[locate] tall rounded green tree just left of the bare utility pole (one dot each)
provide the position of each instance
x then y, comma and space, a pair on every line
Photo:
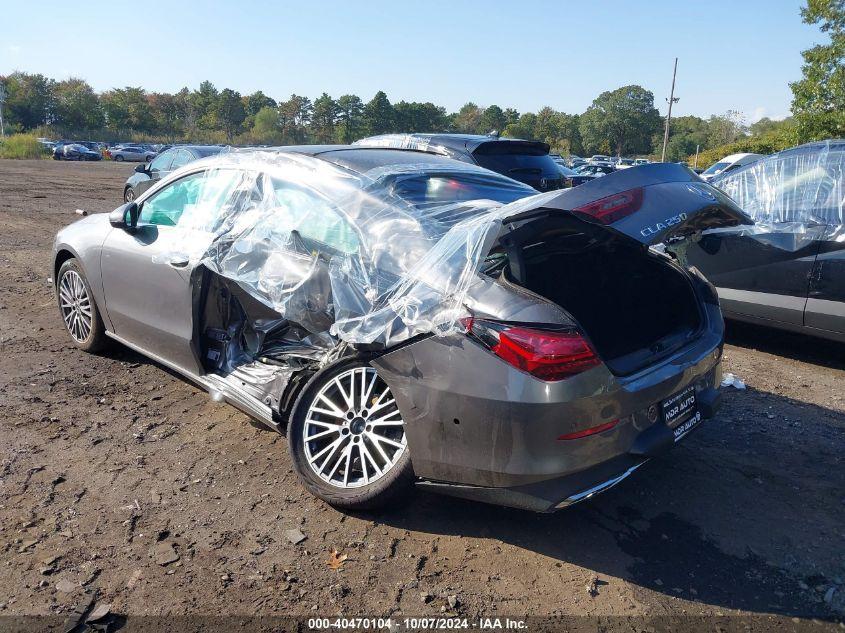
621, 121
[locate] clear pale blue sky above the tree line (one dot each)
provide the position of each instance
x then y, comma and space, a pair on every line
733, 55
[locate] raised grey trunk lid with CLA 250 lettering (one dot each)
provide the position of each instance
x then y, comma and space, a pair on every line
649, 204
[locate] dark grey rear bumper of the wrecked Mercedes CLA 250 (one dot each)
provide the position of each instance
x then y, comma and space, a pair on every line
478, 428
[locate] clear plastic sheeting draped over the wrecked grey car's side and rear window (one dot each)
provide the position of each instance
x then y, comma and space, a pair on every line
373, 258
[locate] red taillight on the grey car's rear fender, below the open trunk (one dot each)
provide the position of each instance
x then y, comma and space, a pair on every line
545, 354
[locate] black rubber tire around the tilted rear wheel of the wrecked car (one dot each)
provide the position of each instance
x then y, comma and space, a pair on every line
392, 488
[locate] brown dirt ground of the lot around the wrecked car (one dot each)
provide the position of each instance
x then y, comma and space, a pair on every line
135, 482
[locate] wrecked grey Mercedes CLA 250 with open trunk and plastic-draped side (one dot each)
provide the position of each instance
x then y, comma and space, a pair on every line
410, 320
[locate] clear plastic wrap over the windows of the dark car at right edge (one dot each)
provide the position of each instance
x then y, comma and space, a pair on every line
792, 190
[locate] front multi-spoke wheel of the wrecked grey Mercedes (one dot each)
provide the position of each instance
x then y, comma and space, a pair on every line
79, 312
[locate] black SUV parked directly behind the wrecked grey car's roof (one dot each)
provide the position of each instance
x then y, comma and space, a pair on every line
526, 161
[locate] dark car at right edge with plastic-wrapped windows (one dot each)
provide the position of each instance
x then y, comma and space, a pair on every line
788, 271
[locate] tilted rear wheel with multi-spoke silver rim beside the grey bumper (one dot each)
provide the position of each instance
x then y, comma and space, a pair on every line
347, 438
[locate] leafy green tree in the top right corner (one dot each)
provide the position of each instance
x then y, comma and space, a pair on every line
818, 98
